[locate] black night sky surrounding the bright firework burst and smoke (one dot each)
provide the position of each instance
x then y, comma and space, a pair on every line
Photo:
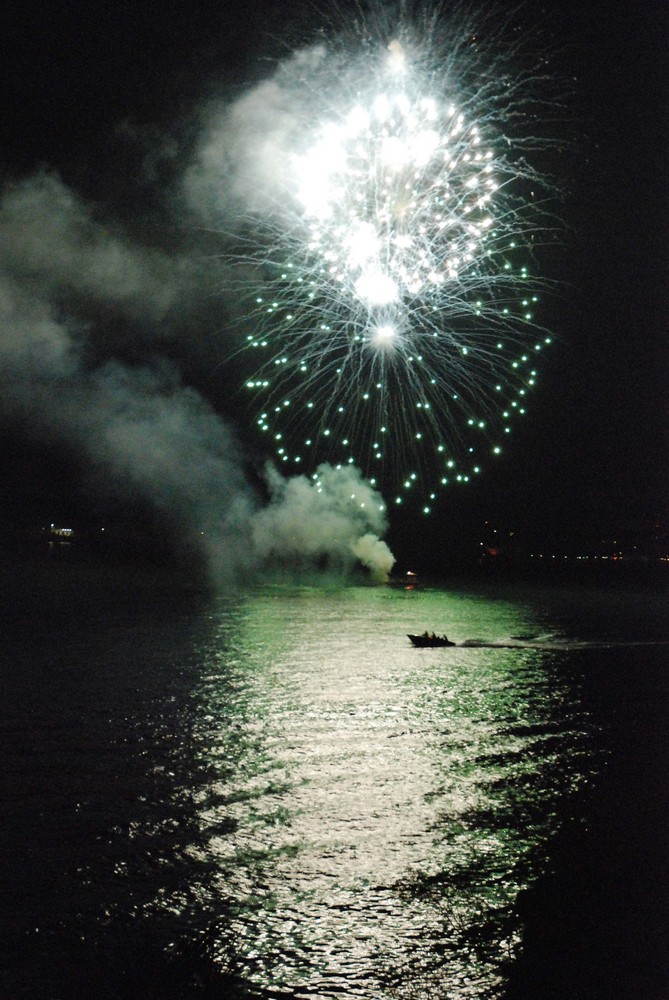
106, 99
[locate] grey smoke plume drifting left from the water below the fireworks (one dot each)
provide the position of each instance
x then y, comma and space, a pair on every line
69, 279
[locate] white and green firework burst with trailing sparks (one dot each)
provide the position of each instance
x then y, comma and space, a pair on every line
387, 250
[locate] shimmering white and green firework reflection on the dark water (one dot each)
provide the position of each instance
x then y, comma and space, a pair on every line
374, 809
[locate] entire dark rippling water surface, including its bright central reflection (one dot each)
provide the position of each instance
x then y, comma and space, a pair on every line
275, 795
